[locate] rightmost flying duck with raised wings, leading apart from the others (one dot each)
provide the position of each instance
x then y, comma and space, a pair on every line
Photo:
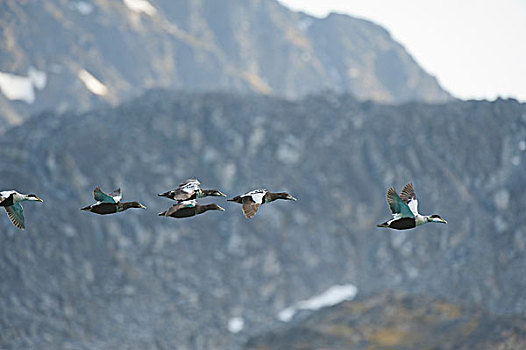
405, 210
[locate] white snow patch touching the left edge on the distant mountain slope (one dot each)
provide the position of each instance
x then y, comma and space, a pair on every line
17, 87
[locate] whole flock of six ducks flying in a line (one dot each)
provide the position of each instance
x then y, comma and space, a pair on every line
404, 207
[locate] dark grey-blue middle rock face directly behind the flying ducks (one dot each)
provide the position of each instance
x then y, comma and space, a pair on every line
135, 280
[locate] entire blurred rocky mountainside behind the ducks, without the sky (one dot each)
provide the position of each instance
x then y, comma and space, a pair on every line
143, 95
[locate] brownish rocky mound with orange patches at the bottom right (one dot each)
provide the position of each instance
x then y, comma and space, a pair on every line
399, 322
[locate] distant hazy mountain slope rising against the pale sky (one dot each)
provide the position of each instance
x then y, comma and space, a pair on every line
93, 52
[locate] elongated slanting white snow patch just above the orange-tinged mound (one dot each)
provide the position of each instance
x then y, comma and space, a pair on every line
332, 296
